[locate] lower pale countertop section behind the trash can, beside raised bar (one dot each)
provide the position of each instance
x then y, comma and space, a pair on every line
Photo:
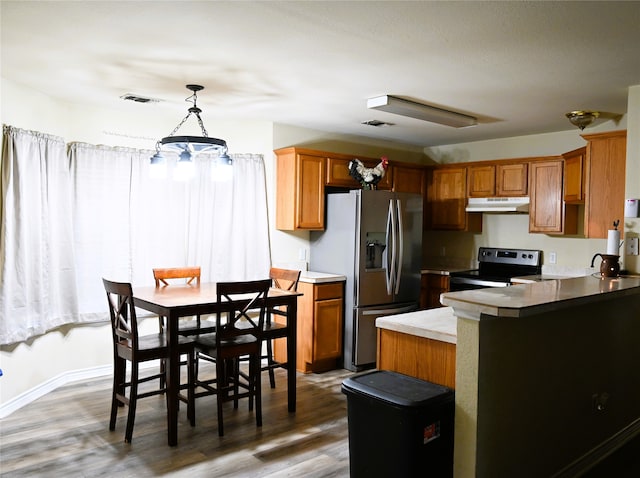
437, 324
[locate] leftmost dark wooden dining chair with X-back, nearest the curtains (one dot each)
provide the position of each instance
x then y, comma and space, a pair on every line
129, 346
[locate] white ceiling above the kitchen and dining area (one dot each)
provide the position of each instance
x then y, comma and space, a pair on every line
518, 66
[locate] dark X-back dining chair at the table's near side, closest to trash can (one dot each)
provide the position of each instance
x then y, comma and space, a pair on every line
238, 333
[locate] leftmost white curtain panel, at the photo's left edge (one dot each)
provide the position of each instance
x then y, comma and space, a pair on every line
37, 274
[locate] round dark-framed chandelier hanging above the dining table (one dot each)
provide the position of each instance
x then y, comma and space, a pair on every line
189, 146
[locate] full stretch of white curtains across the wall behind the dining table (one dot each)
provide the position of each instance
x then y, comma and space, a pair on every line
116, 220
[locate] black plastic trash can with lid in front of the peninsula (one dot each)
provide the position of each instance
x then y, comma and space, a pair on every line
399, 426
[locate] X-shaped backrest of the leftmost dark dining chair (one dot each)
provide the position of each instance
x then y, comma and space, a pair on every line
124, 323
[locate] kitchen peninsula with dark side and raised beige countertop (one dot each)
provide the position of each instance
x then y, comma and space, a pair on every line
547, 376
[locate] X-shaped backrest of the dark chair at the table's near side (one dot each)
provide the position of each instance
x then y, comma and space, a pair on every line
247, 314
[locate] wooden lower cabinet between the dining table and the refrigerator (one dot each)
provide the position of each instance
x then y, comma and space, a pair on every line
320, 324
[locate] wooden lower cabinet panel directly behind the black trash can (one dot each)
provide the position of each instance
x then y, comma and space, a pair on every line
426, 359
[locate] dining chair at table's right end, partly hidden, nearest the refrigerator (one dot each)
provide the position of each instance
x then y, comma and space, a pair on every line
285, 279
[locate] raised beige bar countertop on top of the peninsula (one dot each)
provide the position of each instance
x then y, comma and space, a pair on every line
537, 297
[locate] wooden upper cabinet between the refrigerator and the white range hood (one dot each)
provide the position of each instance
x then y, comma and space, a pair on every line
447, 189
